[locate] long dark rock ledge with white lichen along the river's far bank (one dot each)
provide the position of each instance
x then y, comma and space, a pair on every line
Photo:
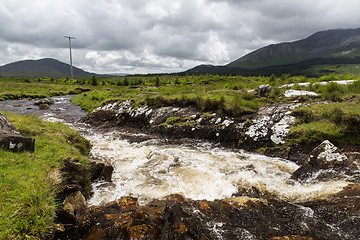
268, 126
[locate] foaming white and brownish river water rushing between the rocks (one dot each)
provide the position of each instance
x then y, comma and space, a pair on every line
155, 168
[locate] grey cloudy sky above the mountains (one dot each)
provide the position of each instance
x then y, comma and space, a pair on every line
144, 36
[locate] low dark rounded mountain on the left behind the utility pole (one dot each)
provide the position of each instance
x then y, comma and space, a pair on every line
46, 67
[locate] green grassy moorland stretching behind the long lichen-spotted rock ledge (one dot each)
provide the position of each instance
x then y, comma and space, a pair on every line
223, 94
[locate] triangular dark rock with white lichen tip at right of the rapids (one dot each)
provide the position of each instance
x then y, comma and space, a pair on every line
326, 162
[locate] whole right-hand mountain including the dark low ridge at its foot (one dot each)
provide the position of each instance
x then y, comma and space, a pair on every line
337, 46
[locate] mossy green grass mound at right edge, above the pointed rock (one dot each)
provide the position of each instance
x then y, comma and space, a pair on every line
337, 122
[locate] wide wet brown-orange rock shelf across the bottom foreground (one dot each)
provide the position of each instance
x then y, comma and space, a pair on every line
236, 218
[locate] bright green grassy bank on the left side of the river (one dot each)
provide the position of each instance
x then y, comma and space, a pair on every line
30, 182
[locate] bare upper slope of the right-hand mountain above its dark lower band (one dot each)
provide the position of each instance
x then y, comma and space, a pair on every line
325, 44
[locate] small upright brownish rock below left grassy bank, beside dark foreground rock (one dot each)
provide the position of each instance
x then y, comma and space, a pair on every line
74, 208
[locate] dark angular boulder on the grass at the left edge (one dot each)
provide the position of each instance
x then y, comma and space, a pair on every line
11, 139
